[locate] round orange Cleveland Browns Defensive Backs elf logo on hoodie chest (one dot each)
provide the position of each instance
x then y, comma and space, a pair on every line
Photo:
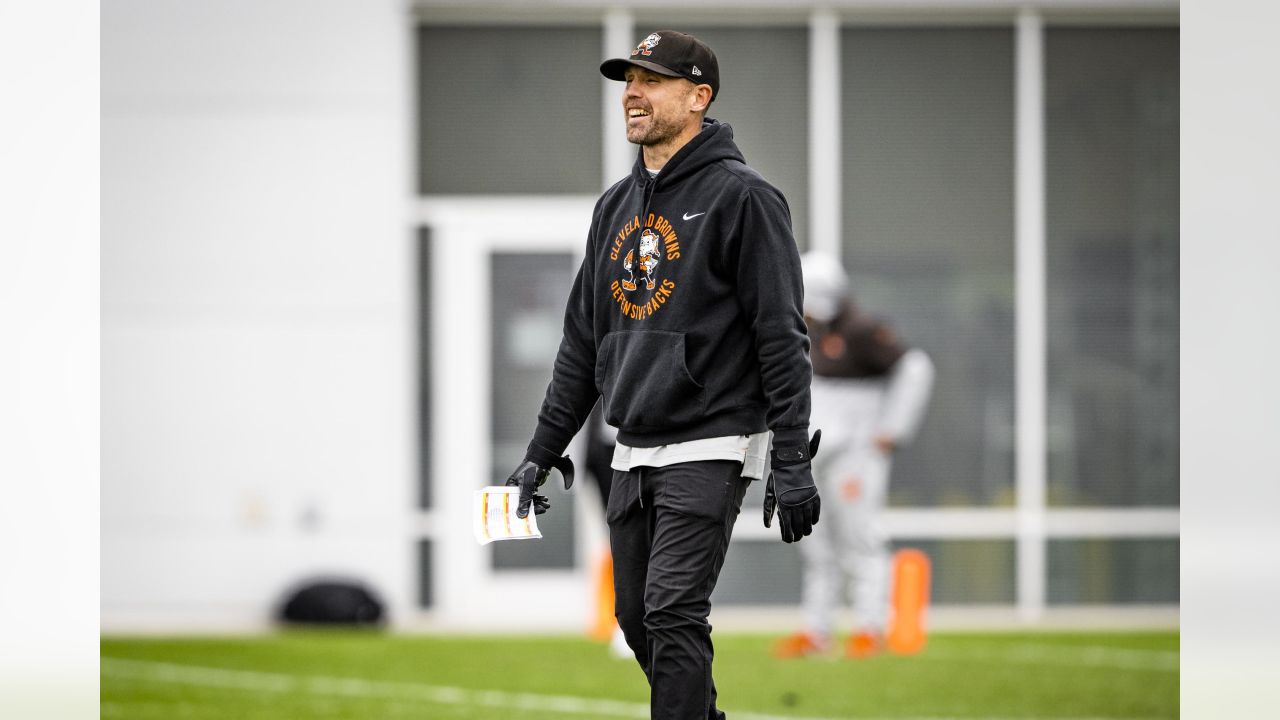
639, 288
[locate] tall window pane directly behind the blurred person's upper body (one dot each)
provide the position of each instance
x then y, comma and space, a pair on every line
929, 221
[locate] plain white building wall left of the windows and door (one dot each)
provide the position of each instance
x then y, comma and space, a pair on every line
258, 373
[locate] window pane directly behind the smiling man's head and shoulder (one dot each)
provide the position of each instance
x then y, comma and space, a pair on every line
765, 97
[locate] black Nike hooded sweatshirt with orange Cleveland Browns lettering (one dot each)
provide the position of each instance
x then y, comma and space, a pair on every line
687, 315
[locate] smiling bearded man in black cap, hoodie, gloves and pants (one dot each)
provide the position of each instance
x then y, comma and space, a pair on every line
687, 322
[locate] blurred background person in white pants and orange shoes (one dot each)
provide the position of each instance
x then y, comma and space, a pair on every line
870, 393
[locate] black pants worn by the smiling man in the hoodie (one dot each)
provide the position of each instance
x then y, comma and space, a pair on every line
670, 528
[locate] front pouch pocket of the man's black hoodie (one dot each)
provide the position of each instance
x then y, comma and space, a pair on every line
647, 384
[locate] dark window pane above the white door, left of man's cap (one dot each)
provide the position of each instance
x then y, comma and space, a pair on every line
509, 110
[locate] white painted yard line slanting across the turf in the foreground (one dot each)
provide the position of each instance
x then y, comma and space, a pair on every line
255, 681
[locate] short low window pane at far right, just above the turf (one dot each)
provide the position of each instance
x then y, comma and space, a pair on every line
1113, 572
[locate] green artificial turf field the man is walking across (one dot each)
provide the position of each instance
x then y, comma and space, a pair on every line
368, 676
